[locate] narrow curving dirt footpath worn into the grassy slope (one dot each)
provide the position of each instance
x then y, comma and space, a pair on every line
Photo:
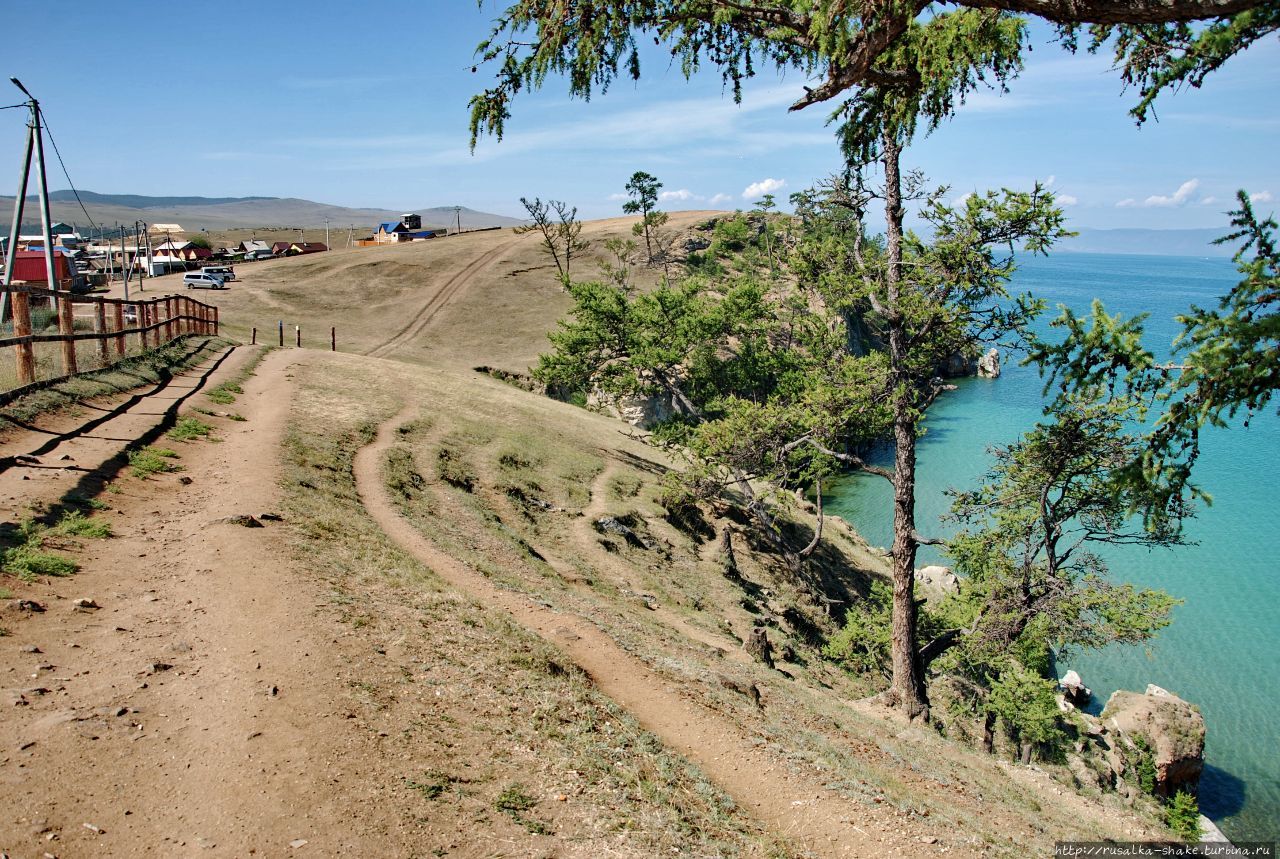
794, 805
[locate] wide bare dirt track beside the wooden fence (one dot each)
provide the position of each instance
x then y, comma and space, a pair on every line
198, 711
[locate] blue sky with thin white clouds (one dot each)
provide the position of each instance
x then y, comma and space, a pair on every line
367, 106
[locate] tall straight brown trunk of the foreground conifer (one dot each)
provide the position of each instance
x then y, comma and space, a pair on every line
908, 686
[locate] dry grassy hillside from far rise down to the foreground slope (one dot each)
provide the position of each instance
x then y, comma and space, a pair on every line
519, 488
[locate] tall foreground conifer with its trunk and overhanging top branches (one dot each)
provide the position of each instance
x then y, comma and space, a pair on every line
907, 72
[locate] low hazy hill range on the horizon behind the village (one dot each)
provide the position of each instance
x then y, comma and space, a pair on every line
230, 213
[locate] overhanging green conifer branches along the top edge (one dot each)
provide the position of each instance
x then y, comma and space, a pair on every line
1158, 44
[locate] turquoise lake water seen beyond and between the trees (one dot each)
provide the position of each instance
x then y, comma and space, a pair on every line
1220, 651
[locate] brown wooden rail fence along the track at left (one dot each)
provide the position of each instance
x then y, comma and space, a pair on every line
120, 328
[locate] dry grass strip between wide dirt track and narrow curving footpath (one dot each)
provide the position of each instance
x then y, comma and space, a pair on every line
484, 712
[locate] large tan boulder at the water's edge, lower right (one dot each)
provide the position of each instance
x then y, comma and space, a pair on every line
1173, 729
